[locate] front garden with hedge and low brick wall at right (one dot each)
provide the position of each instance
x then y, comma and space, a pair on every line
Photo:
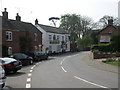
109, 50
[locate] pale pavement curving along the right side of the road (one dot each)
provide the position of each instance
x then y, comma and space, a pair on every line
97, 63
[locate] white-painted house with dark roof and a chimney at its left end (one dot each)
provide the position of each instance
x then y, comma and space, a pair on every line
54, 40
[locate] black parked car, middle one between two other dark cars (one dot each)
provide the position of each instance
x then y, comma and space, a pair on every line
25, 59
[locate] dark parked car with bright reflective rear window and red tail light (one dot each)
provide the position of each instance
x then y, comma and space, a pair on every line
11, 65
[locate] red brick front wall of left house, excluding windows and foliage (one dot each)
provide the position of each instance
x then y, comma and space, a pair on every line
15, 43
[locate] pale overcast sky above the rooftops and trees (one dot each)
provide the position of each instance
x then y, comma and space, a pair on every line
29, 10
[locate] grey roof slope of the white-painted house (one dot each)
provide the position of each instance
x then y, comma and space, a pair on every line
53, 29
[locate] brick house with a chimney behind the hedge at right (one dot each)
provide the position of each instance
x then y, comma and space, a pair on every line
104, 36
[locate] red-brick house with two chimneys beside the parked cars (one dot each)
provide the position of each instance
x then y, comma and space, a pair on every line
19, 36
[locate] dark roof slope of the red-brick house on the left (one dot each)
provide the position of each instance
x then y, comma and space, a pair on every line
18, 25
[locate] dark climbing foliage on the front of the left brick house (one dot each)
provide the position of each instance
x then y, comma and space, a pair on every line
25, 44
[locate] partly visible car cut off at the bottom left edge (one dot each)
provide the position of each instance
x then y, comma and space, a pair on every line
2, 76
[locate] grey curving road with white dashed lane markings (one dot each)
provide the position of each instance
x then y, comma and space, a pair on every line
63, 71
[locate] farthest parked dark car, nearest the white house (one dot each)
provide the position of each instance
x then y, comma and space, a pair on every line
39, 55
